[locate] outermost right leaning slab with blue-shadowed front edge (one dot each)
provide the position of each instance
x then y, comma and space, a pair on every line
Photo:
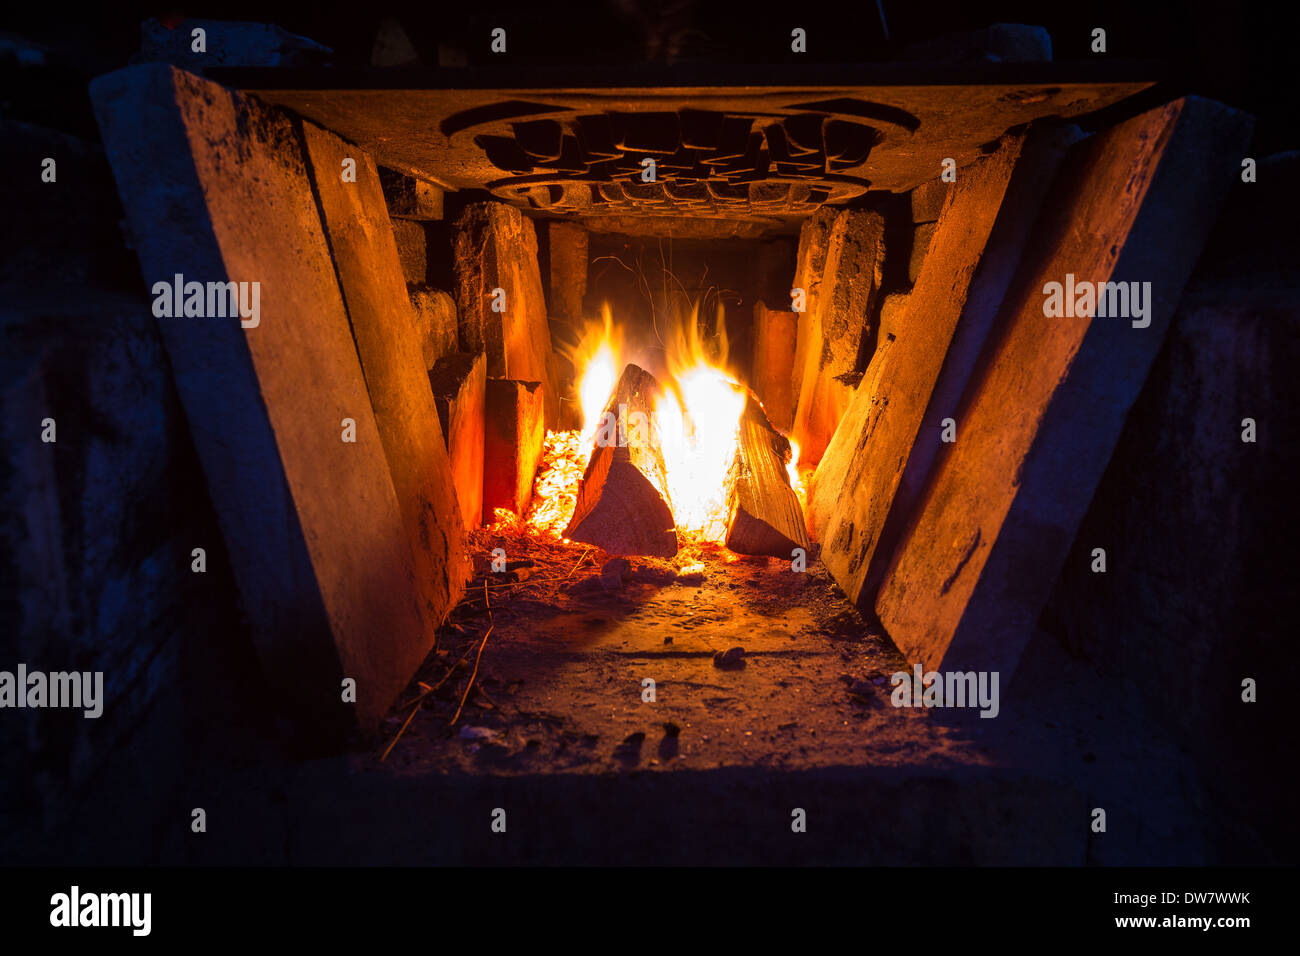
1043, 416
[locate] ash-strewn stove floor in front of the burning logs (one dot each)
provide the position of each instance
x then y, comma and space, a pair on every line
752, 663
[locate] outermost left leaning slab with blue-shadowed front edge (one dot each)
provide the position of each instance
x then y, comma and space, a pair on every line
216, 188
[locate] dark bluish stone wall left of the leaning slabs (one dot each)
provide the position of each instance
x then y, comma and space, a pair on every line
98, 531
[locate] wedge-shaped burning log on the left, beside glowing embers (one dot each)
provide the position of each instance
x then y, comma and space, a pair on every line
623, 501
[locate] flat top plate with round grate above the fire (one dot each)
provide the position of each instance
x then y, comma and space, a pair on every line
461, 131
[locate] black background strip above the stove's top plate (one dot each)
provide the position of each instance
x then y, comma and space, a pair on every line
1240, 54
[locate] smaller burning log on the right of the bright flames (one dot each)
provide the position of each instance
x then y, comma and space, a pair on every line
764, 512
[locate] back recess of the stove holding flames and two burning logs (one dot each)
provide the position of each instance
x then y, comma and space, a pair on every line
673, 447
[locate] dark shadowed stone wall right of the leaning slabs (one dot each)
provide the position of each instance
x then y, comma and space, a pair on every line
1198, 525
